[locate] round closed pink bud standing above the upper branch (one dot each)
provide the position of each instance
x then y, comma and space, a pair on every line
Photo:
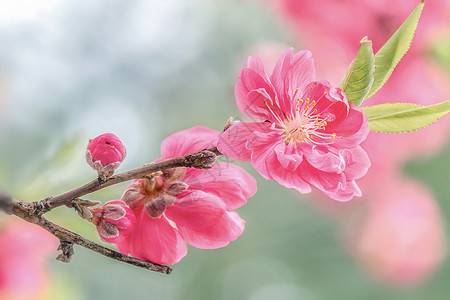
105, 153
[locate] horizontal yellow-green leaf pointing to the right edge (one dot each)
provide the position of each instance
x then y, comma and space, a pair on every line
404, 117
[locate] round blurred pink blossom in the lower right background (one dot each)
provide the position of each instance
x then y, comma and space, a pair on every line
401, 241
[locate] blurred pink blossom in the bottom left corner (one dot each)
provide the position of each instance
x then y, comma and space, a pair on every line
23, 252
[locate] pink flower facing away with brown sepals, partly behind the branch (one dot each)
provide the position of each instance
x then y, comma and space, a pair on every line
184, 204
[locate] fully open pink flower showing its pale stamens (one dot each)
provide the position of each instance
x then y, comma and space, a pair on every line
310, 134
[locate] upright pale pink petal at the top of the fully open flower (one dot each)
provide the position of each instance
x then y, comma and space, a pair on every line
292, 72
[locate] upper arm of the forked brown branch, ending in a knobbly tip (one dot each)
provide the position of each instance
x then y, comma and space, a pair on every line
202, 160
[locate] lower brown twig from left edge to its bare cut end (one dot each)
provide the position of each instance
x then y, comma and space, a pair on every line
67, 238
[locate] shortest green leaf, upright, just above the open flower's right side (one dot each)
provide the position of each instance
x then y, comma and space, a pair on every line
359, 77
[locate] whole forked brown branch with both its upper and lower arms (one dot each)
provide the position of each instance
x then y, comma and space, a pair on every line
32, 212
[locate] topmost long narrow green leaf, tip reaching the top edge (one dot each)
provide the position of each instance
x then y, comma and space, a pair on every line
392, 52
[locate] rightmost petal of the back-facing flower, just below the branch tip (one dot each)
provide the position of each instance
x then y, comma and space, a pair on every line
232, 184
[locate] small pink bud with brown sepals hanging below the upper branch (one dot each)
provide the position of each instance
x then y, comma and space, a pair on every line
113, 220
